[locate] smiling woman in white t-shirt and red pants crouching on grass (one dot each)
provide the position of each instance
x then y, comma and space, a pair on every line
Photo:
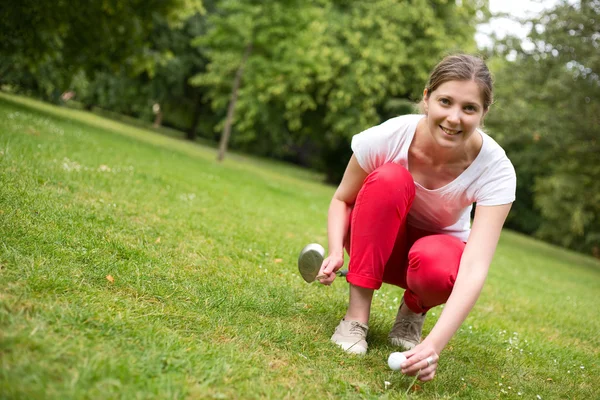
402, 211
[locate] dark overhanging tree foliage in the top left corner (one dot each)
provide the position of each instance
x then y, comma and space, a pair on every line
41, 36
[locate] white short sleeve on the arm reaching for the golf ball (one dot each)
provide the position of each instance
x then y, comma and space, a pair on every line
499, 186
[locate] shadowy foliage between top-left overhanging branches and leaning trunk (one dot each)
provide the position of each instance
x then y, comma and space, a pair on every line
164, 79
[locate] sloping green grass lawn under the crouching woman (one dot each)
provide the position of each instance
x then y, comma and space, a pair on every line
206, 302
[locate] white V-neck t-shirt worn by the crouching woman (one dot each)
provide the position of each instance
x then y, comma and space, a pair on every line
490, 180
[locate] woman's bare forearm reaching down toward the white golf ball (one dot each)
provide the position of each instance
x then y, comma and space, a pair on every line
465, 293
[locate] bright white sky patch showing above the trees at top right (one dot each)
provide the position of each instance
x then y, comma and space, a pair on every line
518, 8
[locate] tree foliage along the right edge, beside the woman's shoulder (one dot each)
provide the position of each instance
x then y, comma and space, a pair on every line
548, 110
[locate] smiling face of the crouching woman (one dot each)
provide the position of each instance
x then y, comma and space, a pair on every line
454, 110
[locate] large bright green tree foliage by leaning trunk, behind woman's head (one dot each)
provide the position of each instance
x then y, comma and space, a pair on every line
323, 70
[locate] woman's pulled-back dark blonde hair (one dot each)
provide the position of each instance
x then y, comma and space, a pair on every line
462, 67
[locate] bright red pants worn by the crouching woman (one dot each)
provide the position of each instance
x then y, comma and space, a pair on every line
383, 248
